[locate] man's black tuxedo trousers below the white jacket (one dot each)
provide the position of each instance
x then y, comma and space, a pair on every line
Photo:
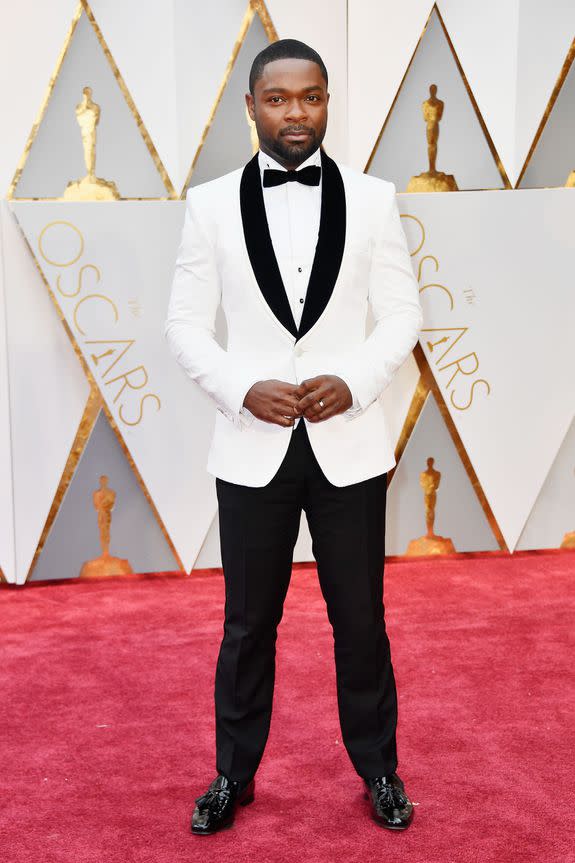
258, 531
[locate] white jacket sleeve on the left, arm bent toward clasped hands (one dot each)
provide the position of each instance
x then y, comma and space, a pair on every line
189, 328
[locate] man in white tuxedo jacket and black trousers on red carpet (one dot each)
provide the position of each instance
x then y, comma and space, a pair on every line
296, 248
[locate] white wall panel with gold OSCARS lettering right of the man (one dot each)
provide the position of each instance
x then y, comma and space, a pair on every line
497, 331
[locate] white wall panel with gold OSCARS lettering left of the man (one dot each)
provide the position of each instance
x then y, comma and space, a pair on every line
114, 296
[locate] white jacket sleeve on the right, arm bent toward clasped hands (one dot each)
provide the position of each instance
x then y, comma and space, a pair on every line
394, 300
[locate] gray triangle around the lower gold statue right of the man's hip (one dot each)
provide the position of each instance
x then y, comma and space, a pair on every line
458, 513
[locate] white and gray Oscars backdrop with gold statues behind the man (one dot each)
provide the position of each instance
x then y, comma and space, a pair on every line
467, 107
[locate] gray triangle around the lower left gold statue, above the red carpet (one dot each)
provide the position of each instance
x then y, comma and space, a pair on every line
74, 537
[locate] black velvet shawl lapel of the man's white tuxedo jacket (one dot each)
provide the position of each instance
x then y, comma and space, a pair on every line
328, 253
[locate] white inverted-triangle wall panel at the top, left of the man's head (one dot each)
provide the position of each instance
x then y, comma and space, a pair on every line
173, 68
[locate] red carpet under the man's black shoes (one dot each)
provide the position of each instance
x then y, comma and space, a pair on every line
107, 728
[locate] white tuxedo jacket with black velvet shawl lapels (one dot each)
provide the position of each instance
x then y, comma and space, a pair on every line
226, 257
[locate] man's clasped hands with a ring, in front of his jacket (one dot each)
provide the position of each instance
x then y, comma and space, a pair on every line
282, 403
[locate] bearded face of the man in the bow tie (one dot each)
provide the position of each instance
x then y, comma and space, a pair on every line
289, 107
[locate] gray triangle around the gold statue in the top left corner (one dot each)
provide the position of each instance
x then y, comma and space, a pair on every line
56, 155
